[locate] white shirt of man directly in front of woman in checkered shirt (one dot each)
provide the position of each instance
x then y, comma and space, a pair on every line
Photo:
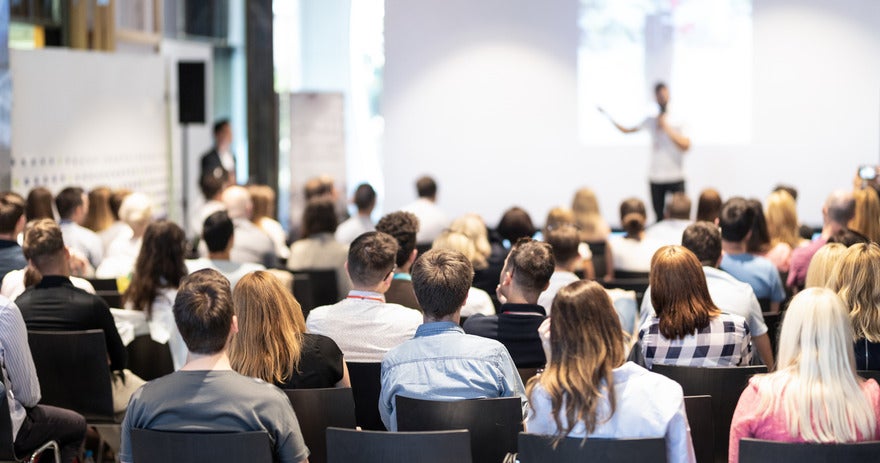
729, 294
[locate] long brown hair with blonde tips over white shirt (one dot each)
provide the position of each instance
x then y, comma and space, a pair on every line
586, 345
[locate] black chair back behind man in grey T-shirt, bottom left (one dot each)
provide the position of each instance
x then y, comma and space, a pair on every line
150, 446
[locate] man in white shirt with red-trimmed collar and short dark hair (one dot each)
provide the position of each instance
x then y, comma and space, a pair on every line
364, 326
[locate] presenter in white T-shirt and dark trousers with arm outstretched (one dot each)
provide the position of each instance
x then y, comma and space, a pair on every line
668, 145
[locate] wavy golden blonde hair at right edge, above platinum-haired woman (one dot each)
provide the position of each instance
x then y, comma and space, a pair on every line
855, 279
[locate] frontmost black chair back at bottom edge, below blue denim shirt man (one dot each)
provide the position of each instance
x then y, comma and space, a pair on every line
349, 446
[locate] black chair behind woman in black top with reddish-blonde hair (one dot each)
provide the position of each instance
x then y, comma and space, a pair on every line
318, 409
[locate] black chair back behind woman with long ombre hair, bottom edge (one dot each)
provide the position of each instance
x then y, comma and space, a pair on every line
535, 448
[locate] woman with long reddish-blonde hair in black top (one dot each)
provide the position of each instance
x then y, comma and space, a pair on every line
271, 343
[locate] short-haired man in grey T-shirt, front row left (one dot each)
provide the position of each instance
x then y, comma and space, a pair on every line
206, 394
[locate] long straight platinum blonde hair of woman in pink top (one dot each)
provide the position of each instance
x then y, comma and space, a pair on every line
815, 385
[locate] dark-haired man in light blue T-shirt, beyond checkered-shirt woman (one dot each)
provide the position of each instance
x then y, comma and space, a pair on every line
737, 221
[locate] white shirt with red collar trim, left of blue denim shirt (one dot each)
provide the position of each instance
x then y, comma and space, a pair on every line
364, 326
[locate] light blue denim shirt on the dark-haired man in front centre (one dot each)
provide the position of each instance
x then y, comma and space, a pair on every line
441, 362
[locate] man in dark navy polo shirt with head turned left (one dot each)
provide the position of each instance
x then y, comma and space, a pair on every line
526, 275
